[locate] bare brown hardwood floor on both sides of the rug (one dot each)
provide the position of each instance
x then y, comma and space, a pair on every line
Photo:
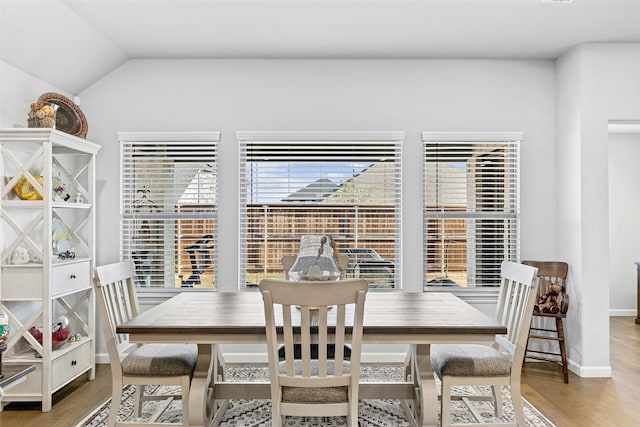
584, 402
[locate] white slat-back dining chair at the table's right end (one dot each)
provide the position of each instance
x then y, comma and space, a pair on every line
500, 364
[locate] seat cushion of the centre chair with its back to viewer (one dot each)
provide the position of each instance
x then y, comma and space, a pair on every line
316, 394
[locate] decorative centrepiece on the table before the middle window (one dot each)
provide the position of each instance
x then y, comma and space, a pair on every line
315, 260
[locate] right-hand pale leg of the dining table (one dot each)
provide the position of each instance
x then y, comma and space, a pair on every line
426, 400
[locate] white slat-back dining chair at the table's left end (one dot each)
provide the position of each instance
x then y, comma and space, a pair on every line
148, 364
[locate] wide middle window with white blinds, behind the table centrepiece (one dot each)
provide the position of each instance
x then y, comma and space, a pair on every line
345, 185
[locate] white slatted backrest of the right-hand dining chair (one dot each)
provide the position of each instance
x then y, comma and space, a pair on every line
517, 296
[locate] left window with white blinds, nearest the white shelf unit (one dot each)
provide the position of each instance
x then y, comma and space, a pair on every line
168, 207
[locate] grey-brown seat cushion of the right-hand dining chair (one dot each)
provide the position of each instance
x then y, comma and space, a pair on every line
460, 360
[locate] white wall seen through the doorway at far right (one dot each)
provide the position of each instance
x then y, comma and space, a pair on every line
624, 227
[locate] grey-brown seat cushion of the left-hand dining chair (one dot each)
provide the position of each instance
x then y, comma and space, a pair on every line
161, 360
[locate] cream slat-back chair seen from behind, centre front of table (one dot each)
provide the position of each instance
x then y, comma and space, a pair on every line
299, 312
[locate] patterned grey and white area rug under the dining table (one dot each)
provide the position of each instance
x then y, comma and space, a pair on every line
372, 413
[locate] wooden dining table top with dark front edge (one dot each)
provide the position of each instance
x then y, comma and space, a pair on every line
242, 313
